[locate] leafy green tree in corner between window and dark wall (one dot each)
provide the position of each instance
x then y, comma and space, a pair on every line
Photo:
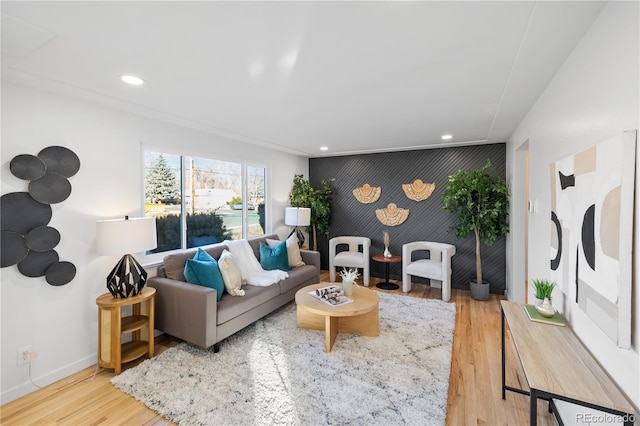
318, 199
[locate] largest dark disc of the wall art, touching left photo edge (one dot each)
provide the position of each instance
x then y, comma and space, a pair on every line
20, 213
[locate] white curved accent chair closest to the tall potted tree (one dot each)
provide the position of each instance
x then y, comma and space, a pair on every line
437, 268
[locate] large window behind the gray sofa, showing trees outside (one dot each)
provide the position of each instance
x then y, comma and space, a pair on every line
199, 201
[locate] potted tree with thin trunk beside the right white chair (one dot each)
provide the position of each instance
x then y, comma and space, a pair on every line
481, 202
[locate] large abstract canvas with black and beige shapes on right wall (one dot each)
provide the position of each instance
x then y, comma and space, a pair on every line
592, 199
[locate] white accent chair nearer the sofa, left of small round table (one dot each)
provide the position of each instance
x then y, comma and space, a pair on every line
352, 258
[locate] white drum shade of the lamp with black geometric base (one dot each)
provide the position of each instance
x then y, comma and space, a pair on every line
125, 236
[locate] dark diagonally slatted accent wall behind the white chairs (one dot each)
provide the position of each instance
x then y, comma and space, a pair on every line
426, 221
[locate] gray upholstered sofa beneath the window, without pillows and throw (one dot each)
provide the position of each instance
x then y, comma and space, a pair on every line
192, 313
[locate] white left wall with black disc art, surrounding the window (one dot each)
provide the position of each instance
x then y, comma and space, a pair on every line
61, 322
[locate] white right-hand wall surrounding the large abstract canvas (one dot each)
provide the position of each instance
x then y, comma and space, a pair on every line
593, 97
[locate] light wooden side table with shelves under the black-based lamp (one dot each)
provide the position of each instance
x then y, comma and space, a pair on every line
111, 326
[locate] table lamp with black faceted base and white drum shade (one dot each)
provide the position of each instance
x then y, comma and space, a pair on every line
126, 235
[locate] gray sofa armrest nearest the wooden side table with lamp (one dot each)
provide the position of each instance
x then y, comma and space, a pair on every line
185, 310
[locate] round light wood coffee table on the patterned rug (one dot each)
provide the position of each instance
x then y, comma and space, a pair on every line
359, 317
